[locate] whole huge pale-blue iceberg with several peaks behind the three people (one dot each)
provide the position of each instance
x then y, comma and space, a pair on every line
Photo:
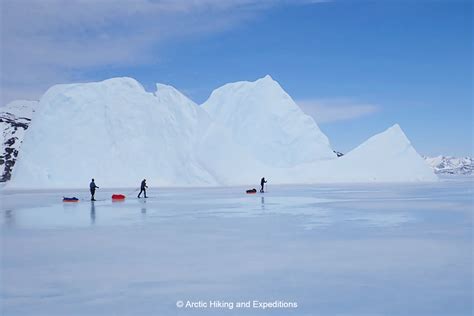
118, 133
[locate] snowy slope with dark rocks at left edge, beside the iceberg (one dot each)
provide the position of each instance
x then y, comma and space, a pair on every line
15, 118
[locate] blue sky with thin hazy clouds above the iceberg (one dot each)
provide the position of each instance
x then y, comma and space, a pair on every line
357, 67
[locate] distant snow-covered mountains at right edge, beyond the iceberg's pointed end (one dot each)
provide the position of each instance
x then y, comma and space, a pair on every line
451, 165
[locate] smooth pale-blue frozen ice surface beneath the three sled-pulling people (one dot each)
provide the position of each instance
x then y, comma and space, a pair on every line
372, 249
